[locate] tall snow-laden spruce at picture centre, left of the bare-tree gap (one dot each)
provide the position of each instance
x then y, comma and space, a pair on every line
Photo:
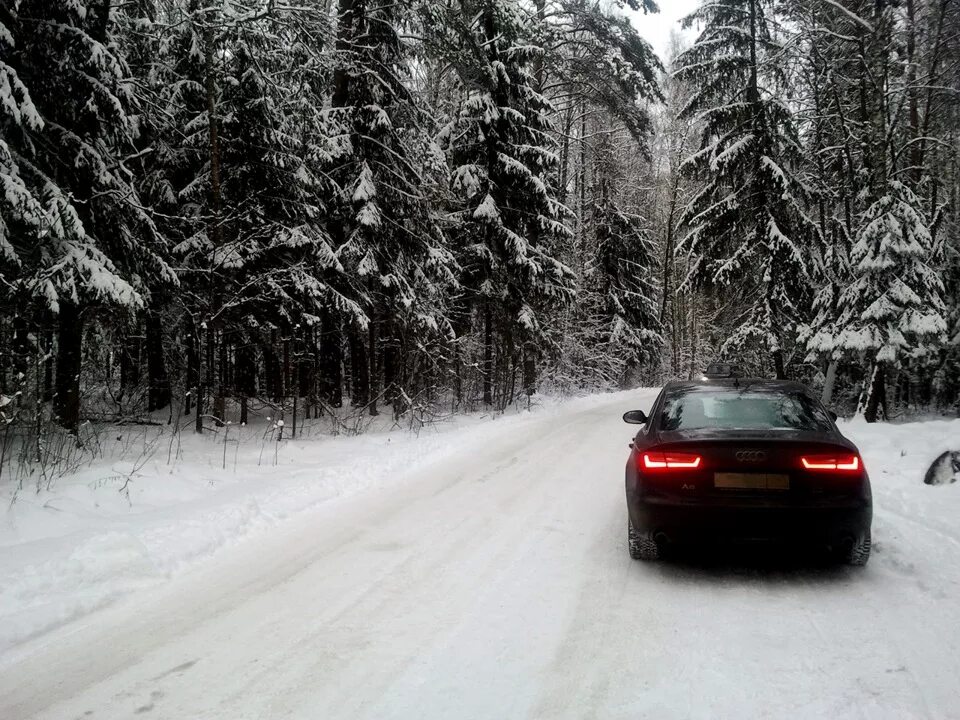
504, 162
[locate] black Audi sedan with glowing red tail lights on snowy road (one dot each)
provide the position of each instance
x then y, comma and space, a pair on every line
745, 459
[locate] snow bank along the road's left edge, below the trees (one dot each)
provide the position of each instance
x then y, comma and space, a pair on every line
87, 541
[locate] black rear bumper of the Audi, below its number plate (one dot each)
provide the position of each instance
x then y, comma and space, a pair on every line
677, 521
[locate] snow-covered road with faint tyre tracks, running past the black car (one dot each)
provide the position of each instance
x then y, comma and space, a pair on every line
497, 585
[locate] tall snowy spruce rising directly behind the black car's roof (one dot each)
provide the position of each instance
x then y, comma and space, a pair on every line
747, 228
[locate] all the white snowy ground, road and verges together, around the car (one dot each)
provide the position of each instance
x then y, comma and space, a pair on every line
477, 573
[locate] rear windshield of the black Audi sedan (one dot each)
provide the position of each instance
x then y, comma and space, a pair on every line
742, 409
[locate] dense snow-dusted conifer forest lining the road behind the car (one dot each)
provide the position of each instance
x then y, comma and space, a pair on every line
214, 209
